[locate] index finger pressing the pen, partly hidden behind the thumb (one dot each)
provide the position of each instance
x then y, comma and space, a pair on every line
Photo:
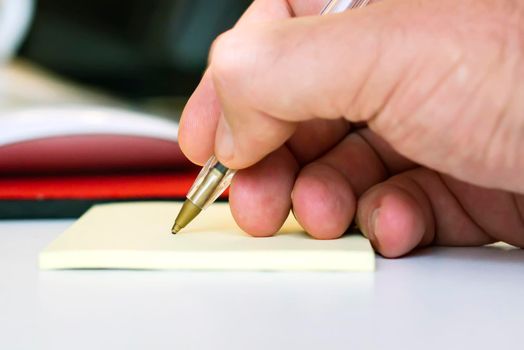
199, 120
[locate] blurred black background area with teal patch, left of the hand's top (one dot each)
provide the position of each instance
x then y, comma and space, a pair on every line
135, 48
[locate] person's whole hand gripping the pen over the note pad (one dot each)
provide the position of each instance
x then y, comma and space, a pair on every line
406, 115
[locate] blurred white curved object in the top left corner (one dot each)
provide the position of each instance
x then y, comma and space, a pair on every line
15, 16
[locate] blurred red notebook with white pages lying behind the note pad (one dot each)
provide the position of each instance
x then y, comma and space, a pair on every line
57, 162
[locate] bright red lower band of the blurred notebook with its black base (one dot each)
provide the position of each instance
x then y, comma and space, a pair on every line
69, 196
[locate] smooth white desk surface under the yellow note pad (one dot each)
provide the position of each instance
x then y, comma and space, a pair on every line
437, 299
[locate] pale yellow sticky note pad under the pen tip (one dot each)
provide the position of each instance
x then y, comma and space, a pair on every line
138, 236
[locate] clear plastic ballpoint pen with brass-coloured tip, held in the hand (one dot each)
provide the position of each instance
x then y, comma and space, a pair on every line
214, 177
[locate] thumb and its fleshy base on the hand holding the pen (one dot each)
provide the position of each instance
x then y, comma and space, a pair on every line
436, 92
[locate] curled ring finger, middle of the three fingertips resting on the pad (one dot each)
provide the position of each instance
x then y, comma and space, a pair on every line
325, 192
